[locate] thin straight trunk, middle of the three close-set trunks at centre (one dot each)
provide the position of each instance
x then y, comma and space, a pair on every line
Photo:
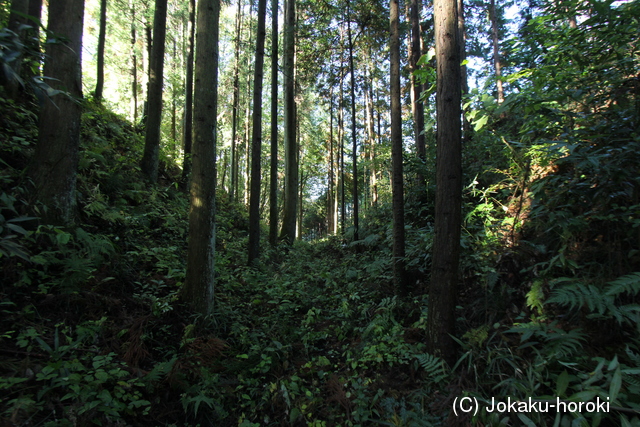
273, 172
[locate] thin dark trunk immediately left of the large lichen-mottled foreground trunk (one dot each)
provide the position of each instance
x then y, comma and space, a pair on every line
187, 133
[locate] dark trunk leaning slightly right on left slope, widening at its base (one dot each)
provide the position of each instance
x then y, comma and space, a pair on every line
150, 158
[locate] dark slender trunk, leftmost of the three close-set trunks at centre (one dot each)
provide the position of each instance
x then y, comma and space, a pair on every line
256, 138
